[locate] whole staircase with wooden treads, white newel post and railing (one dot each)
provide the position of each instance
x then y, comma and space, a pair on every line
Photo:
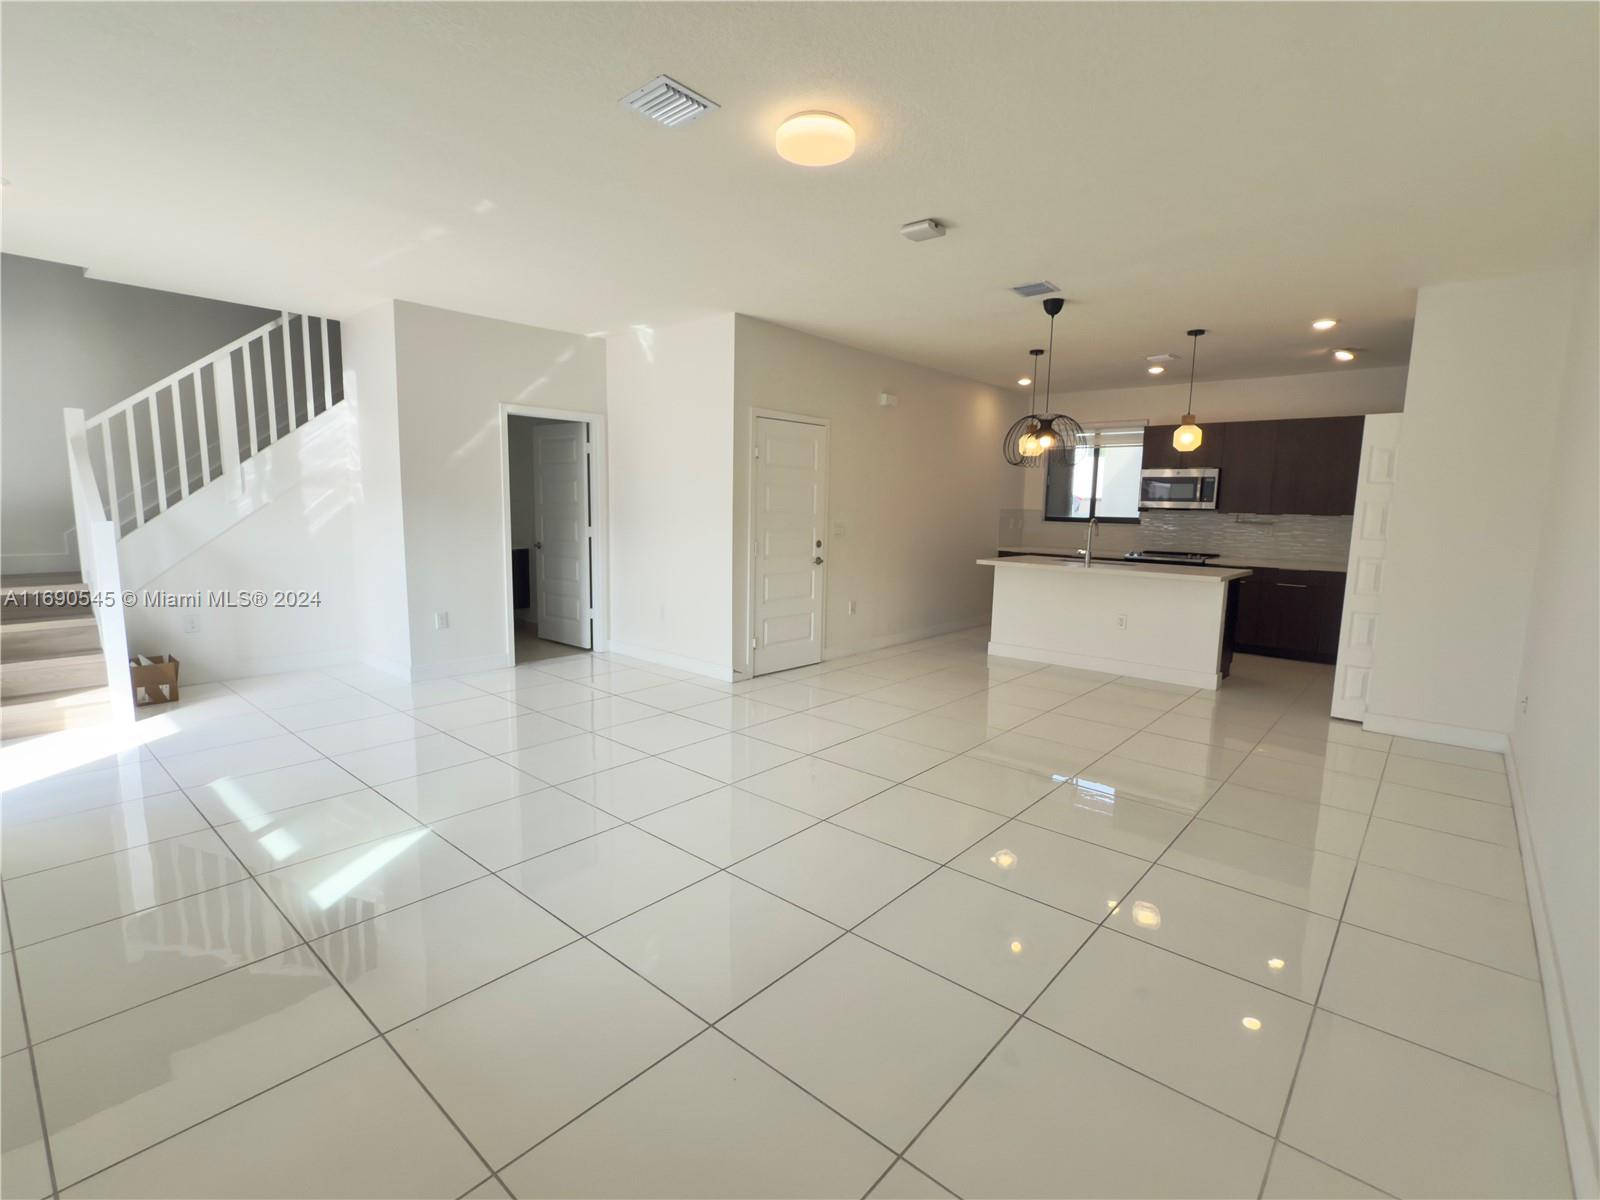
154, 479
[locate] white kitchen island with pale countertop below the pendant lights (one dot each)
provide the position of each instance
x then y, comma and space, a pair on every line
1145, 620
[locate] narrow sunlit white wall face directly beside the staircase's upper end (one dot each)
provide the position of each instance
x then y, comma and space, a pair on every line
378, 518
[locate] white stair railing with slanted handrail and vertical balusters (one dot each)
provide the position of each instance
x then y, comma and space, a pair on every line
186, 430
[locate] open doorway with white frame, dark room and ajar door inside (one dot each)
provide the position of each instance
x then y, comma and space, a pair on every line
554, 508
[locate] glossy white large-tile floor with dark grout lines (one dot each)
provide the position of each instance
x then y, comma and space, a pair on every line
916, 924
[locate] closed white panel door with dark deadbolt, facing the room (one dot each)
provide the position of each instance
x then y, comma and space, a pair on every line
791, 511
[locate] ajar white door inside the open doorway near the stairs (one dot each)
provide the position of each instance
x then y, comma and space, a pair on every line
562, 534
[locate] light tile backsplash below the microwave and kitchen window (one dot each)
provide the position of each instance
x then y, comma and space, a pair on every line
1241, 537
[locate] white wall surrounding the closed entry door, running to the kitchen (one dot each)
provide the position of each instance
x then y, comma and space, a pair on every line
914, 492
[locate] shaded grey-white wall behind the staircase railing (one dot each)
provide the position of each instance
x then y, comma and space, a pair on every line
68, 342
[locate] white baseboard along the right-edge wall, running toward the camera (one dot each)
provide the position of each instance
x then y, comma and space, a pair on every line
1582, 1150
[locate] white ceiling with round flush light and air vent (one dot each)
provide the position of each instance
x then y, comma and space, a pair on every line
1242, 167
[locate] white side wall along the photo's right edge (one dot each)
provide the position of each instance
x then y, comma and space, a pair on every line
1554, 742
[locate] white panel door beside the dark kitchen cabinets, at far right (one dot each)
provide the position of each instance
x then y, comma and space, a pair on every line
1366, 578
